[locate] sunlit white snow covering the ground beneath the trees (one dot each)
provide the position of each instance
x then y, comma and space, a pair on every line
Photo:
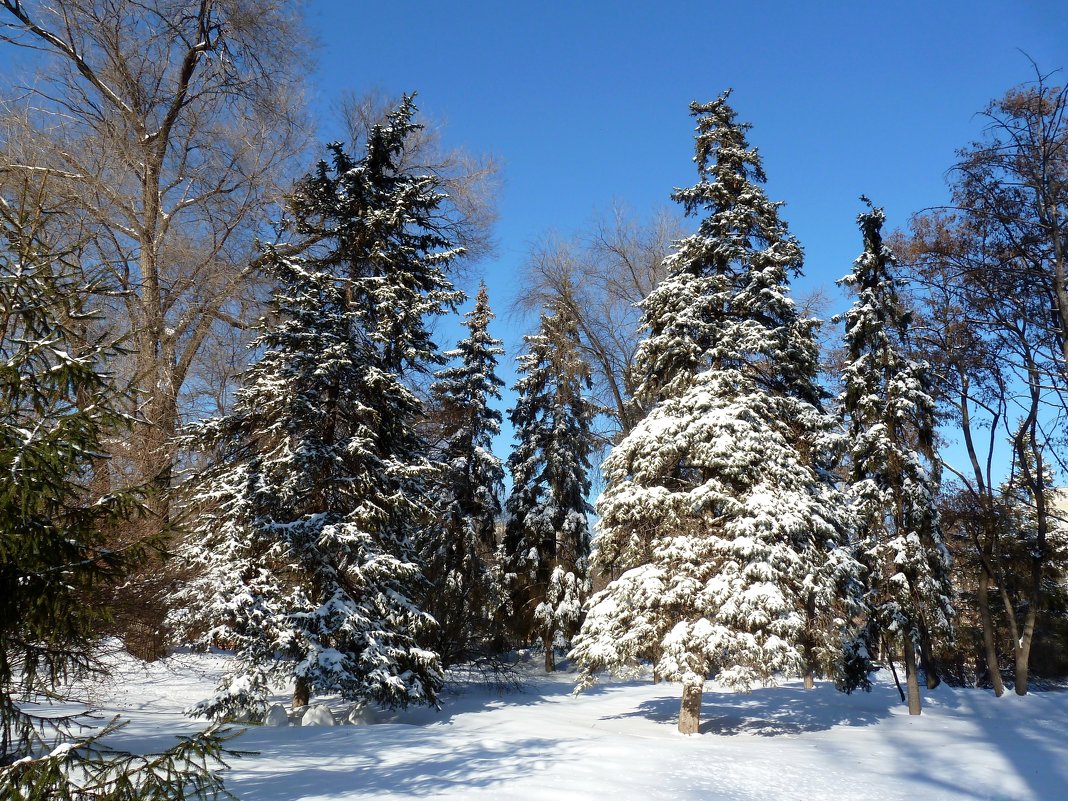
619, 742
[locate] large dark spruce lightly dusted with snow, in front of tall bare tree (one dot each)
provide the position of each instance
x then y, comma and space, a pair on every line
305, 528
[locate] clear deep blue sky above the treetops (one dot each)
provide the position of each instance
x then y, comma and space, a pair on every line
586, 103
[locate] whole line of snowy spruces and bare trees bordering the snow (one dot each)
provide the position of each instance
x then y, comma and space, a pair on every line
227, 420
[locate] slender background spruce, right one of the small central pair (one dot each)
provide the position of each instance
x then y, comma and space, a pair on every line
546, 549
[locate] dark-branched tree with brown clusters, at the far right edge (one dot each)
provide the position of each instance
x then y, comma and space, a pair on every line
997, 302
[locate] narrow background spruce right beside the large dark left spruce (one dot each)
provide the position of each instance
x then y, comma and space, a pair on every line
459, 552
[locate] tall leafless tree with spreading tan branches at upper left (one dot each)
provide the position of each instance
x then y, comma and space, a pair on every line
169, 128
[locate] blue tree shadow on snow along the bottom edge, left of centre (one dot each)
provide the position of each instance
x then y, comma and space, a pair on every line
418, 766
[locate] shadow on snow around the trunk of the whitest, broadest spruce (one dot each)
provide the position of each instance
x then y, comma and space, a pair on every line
775, 712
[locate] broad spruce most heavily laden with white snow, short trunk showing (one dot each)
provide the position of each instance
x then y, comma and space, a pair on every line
730, 532
